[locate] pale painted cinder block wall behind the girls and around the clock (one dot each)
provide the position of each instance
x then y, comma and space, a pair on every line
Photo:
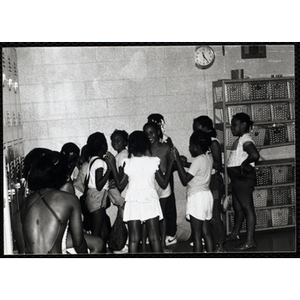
67, 93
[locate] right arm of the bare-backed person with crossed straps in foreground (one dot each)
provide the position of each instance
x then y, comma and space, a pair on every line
76, 229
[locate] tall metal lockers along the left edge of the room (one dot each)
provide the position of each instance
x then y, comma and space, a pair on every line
13, 153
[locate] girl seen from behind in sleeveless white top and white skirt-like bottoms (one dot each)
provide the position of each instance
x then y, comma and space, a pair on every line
141, 201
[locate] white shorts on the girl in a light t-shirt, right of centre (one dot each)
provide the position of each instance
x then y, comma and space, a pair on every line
200, 205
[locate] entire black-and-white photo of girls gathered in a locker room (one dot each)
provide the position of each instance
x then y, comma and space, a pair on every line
160, 150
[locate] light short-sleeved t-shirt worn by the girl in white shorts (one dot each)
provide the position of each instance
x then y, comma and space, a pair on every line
201, 169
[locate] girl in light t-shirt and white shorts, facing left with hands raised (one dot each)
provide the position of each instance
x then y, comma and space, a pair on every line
199, 197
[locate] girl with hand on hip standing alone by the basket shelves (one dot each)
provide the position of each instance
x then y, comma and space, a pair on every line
240, 168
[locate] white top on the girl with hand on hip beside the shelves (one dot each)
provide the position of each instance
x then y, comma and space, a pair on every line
236, 157
